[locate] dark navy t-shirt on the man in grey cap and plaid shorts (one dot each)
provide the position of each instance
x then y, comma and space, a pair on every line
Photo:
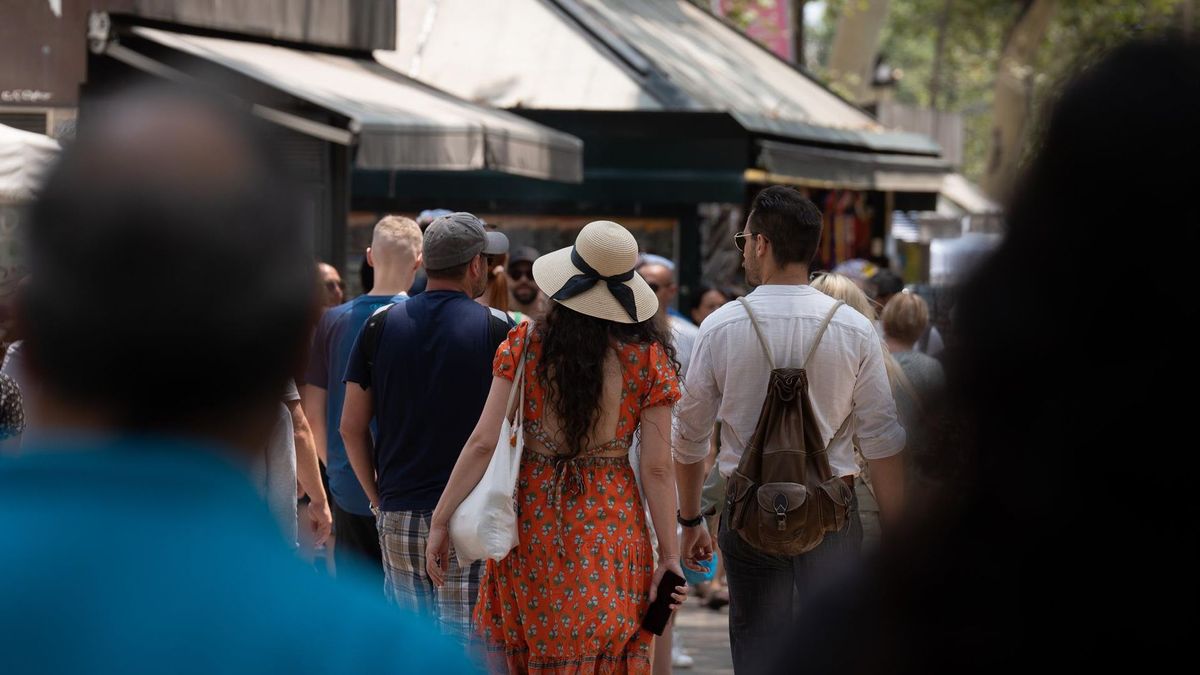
430, 381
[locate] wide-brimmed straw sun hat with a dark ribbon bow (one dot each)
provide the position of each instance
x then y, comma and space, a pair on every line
597, 276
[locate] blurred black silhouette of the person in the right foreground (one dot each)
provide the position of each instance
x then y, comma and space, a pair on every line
1061, 537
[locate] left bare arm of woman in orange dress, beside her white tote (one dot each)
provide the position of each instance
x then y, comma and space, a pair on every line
467, 473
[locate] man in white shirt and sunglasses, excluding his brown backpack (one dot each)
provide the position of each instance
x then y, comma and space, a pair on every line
728, 380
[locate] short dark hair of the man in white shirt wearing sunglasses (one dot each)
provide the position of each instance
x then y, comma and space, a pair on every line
790, 222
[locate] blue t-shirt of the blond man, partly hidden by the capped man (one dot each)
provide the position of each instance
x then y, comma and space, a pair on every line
332, 344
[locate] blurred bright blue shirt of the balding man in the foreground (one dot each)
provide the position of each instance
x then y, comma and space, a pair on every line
146, 557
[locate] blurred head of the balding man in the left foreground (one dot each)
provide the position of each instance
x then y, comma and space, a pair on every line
172, 286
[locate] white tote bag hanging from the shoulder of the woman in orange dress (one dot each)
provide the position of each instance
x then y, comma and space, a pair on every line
485, 525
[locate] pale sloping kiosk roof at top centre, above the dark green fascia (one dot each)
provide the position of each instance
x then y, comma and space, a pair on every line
626, 56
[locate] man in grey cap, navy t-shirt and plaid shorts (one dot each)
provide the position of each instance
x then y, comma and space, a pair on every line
424, 374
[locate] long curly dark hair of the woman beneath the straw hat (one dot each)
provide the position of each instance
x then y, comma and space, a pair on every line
574, 348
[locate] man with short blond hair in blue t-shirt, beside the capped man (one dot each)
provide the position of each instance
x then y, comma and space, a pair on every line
394, 255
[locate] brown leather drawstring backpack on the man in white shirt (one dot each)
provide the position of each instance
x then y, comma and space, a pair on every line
784, 494
